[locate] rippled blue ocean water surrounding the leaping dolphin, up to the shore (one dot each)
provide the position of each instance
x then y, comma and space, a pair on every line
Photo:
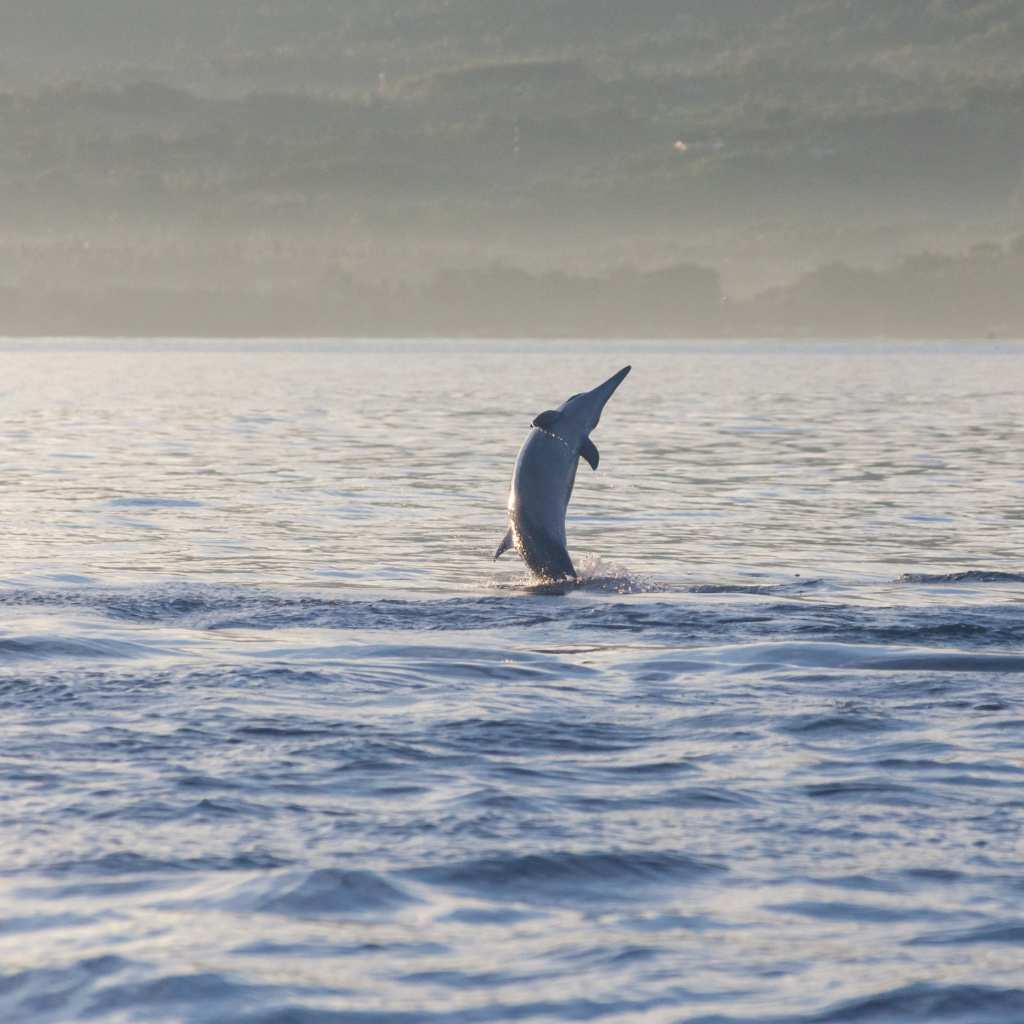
282, 745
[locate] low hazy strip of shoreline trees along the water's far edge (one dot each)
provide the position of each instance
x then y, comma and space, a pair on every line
976, 294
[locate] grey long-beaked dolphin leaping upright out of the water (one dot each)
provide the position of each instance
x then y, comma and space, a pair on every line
543, 479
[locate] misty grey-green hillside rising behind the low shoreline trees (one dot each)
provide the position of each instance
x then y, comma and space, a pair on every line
269, 147
